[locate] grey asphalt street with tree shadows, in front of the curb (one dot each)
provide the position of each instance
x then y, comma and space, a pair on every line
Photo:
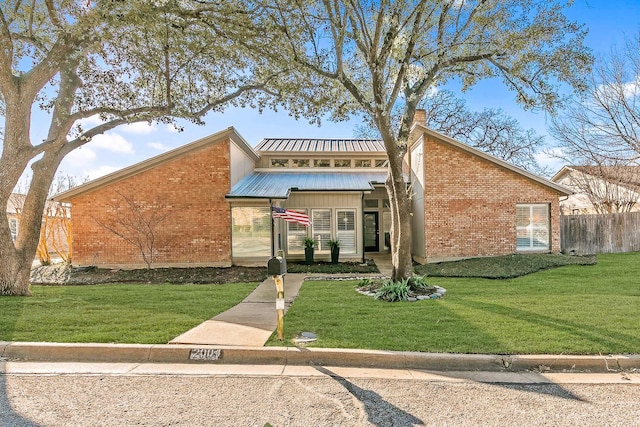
72, 394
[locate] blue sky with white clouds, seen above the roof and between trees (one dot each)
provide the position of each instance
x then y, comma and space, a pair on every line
608, 21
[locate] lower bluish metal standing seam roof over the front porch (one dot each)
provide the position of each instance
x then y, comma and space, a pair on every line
278, 185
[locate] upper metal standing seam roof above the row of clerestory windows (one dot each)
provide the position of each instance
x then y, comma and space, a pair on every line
320, 145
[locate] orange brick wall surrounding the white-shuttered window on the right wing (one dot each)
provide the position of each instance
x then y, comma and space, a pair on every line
470, 204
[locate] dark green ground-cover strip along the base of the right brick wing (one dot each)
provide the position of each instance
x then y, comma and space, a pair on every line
502, 267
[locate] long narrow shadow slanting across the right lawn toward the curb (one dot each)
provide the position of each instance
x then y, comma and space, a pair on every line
597, 336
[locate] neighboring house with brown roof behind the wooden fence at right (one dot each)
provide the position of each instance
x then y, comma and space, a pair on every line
599, 189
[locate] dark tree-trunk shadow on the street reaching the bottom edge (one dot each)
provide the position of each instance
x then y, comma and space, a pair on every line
379, 411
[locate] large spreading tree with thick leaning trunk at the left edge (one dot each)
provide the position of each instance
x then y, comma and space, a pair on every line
124, 61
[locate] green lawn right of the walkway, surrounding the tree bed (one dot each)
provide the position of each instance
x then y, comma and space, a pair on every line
572, 310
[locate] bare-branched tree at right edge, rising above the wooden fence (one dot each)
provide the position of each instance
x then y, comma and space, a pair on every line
599, 131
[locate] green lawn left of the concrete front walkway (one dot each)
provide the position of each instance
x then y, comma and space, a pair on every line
148, 314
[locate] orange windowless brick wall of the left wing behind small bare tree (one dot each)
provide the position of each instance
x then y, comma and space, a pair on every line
190, 188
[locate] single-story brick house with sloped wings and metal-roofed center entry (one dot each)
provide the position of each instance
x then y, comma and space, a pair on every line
219, 191
